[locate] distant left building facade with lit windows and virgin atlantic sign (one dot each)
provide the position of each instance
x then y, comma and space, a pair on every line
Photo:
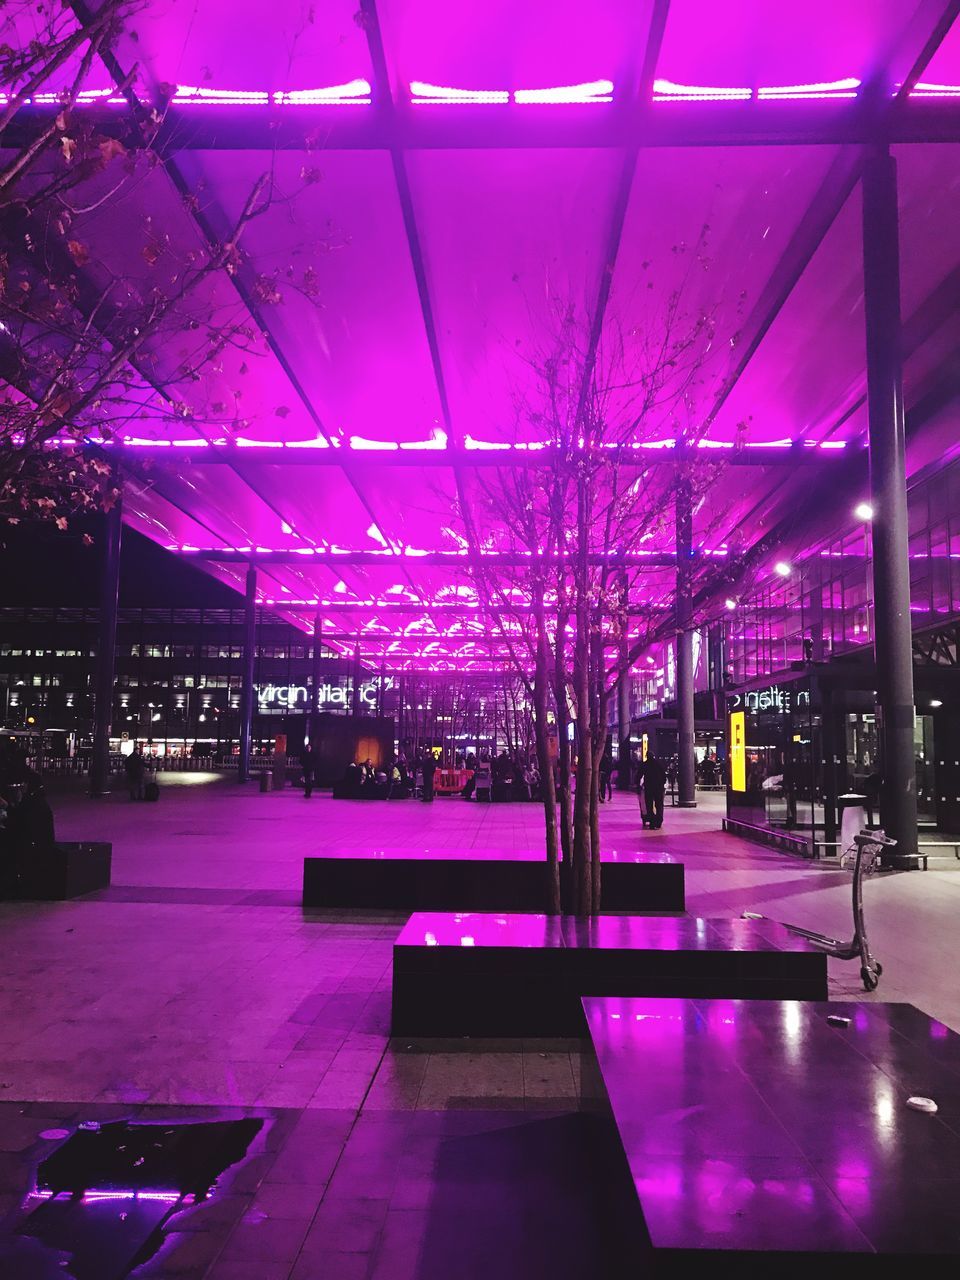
179, 678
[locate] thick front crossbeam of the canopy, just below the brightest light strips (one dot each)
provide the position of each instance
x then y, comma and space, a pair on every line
565, 127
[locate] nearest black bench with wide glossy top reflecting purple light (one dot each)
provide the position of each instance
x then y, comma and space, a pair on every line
760, 1135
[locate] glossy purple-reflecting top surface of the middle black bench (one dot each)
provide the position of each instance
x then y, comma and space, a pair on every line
604, 932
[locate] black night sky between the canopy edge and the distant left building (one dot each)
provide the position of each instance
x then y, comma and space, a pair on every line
40, 565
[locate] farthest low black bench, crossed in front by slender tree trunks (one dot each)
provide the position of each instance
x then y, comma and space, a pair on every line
473, 881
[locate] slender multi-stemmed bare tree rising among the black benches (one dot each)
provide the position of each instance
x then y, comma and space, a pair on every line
575, 602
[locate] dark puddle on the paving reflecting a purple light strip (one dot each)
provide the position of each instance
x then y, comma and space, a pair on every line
104, 1199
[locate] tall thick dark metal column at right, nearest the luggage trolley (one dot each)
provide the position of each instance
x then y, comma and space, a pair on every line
892, 564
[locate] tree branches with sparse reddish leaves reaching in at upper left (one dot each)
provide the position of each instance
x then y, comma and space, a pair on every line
109, 314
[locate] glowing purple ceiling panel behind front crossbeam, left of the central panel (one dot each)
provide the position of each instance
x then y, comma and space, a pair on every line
350, 322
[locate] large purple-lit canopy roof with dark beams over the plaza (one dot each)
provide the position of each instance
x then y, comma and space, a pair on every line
460, 170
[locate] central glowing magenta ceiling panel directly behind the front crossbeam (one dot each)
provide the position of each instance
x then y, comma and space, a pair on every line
510, 237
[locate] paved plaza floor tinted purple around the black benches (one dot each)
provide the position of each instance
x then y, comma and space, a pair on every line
196, 984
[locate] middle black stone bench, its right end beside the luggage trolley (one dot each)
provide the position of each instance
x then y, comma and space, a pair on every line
525, 976
